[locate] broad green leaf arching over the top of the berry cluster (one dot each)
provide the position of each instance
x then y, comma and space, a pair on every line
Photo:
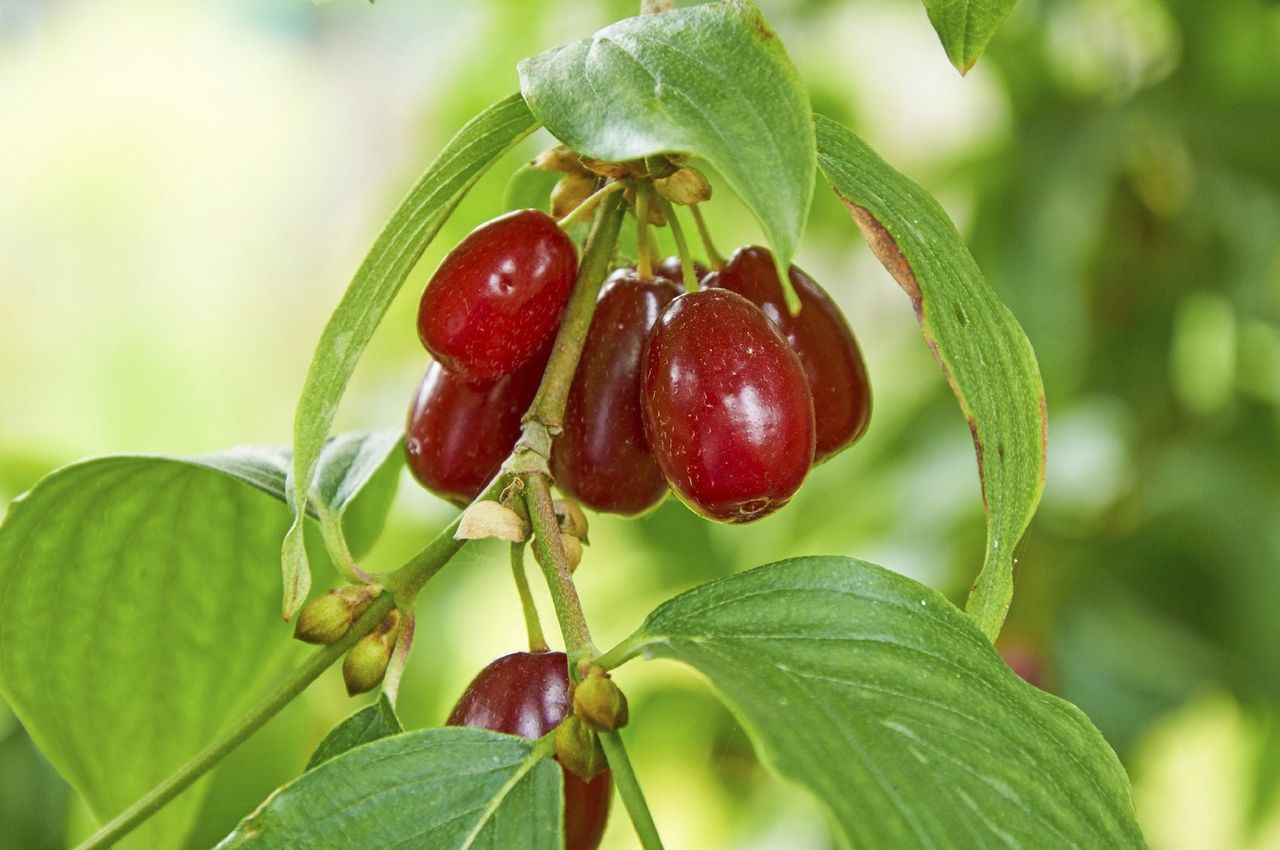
712, 81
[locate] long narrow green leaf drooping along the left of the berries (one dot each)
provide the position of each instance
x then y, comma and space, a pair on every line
397, 250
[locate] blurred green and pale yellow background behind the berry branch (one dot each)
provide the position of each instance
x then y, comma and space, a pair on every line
186, 189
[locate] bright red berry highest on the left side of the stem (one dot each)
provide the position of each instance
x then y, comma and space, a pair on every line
499, 298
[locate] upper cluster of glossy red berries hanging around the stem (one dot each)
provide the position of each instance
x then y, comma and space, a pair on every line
720, 395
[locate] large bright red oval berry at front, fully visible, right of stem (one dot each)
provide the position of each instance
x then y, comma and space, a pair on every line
726, 408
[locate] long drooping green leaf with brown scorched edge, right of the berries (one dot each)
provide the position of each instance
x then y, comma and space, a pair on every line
979, 344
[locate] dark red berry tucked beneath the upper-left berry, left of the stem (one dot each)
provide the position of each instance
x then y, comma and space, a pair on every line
459, 433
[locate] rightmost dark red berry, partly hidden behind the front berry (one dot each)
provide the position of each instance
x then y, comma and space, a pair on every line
820, 336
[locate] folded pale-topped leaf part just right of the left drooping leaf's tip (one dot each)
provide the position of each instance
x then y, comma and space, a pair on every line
364, 465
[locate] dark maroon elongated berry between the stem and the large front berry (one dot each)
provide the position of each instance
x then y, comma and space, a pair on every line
604, 459
